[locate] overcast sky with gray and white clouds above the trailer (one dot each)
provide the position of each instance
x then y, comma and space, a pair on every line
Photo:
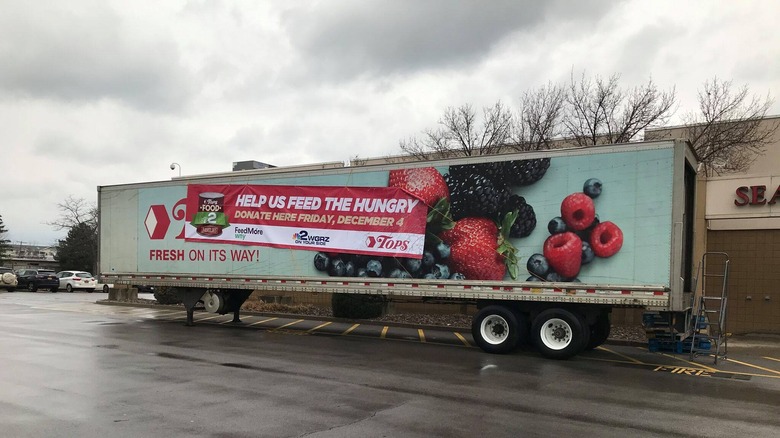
109, 92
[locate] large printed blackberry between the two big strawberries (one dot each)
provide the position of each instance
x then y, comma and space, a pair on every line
474, 195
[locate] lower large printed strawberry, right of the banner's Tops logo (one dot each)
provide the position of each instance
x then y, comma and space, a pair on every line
479, 251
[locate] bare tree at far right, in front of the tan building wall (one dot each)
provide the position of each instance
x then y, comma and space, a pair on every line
729, 133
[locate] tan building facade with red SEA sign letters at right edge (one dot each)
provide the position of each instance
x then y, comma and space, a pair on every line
742, 219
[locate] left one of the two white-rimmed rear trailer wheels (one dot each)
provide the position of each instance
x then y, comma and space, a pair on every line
497, 329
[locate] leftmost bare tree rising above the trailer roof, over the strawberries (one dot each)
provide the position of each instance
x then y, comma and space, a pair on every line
460, 133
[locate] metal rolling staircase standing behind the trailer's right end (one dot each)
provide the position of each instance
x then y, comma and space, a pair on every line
708, 316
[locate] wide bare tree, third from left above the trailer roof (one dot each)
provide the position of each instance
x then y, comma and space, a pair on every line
600, 112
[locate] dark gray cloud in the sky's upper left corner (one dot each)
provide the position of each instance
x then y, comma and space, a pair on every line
87, 54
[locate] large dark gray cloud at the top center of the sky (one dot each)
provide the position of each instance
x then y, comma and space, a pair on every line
356, 37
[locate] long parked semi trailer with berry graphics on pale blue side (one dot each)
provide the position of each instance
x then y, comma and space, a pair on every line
544, 243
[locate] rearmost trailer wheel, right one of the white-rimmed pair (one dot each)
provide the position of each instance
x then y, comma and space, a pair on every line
559, 333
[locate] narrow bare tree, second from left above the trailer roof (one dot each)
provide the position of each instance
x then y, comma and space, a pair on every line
540, 121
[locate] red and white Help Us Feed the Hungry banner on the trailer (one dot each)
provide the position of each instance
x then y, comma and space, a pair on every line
360, 220
